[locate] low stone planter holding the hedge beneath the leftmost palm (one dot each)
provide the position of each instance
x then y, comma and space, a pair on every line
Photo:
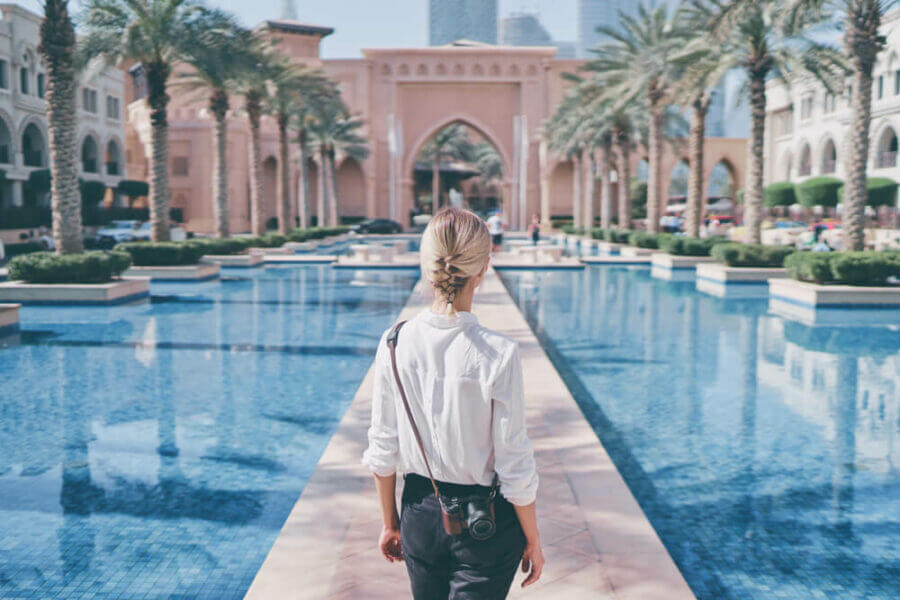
119, 291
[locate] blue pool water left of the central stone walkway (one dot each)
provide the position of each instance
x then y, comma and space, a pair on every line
155, 450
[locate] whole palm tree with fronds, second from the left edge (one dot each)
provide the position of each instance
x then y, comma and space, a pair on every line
153, 33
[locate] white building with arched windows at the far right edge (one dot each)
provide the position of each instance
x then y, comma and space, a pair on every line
807, 127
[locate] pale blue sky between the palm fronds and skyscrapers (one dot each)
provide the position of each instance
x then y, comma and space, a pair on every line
362, 24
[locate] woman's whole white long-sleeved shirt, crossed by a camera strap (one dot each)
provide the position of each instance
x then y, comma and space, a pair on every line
453, 370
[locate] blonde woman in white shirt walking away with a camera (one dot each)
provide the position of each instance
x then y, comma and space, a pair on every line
448, 412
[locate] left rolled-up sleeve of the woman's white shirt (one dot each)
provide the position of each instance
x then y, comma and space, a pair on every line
382, 454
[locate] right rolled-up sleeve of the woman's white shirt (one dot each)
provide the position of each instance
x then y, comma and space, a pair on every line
513, 454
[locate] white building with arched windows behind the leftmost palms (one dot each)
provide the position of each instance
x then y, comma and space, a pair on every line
23, 121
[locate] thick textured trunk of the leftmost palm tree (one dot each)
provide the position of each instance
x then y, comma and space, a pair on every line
58, 50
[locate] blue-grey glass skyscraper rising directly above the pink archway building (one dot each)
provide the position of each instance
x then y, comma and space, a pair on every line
451, 20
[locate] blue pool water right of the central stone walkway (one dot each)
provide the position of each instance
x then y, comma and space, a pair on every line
766, 453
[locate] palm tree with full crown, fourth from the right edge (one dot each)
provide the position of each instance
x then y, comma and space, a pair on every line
638, 63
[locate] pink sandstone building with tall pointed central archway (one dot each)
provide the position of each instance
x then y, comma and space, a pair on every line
405, 96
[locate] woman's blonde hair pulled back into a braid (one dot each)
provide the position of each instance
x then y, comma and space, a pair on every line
455, 247
